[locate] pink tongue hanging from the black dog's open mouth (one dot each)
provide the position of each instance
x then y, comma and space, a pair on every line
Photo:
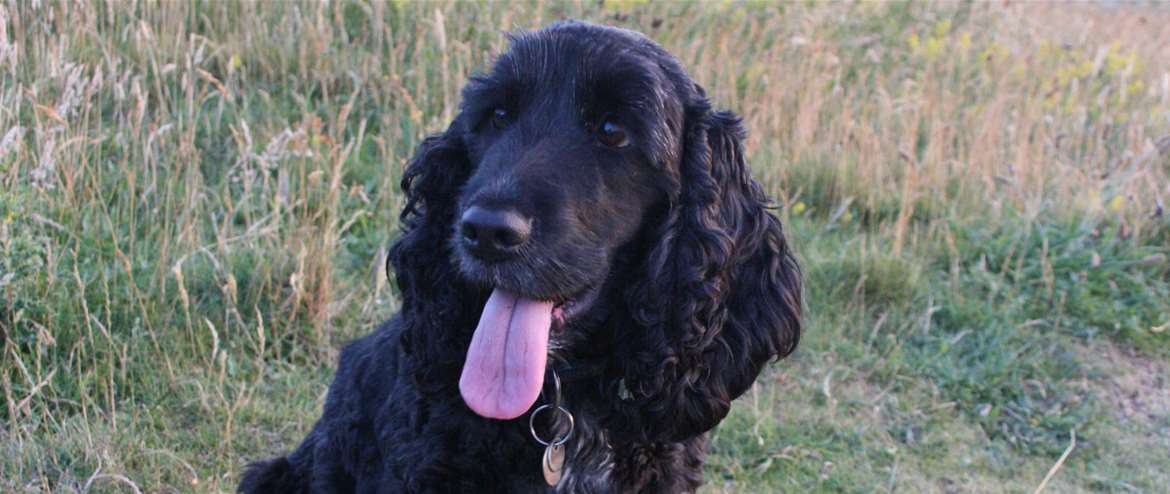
505, 367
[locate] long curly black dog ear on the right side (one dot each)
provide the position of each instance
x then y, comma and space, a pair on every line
722, 290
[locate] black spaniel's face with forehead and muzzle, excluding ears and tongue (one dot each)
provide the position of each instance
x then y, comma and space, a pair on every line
568, 162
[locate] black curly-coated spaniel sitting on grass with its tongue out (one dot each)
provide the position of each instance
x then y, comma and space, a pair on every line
587, 216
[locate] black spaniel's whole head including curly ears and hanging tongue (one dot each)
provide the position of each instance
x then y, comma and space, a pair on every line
586, 170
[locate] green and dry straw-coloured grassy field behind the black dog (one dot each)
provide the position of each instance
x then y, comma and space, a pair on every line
196, 200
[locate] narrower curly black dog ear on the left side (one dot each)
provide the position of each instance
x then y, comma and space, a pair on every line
431, 184
